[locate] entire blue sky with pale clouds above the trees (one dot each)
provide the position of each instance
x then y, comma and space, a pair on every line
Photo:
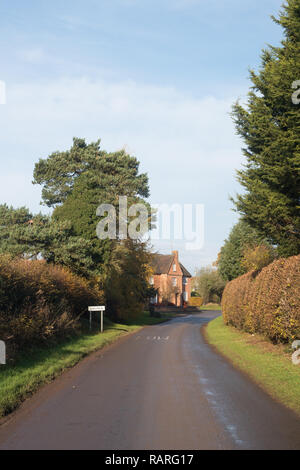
156, 76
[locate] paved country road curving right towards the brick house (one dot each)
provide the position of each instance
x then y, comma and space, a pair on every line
161, 388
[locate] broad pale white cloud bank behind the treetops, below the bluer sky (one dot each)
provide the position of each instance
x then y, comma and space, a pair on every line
186, 144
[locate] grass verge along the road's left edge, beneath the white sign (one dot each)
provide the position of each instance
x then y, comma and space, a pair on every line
42, 364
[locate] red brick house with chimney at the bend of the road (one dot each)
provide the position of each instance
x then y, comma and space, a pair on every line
172, 280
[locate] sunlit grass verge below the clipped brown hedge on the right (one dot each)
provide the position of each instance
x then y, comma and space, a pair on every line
268, 365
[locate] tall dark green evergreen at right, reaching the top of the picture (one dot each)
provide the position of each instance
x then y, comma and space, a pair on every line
270, 128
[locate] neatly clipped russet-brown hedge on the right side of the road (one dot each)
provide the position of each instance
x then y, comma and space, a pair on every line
266, 301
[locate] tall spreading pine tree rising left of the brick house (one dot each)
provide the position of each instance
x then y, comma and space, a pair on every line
77, 181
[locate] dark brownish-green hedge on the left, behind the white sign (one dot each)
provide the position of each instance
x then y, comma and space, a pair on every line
39, 301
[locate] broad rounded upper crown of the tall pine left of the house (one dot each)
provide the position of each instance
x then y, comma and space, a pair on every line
108, 174
